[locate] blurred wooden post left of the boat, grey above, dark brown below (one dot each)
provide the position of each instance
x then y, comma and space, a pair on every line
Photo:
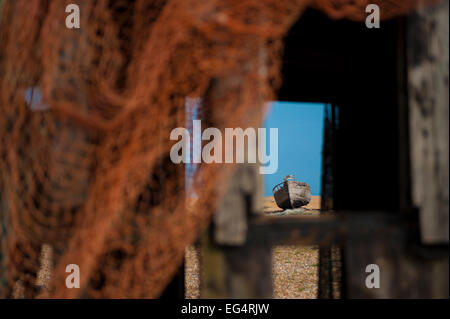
231, 268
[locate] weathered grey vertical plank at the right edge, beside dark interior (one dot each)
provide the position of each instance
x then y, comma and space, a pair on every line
428, 67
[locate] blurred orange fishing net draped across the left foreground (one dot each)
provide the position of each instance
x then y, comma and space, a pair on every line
85, 120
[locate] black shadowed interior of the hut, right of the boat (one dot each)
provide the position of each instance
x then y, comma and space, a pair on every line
354, 69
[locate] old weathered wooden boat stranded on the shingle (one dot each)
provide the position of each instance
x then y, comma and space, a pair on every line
291, 193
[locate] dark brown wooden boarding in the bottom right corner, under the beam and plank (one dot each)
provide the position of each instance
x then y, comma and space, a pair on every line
404, 272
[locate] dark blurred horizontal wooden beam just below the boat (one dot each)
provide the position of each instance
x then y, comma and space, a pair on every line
325, 229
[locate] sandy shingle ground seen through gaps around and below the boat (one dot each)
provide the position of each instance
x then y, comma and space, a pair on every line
295, 269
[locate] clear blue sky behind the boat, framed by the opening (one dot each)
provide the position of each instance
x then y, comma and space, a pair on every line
300, 136
